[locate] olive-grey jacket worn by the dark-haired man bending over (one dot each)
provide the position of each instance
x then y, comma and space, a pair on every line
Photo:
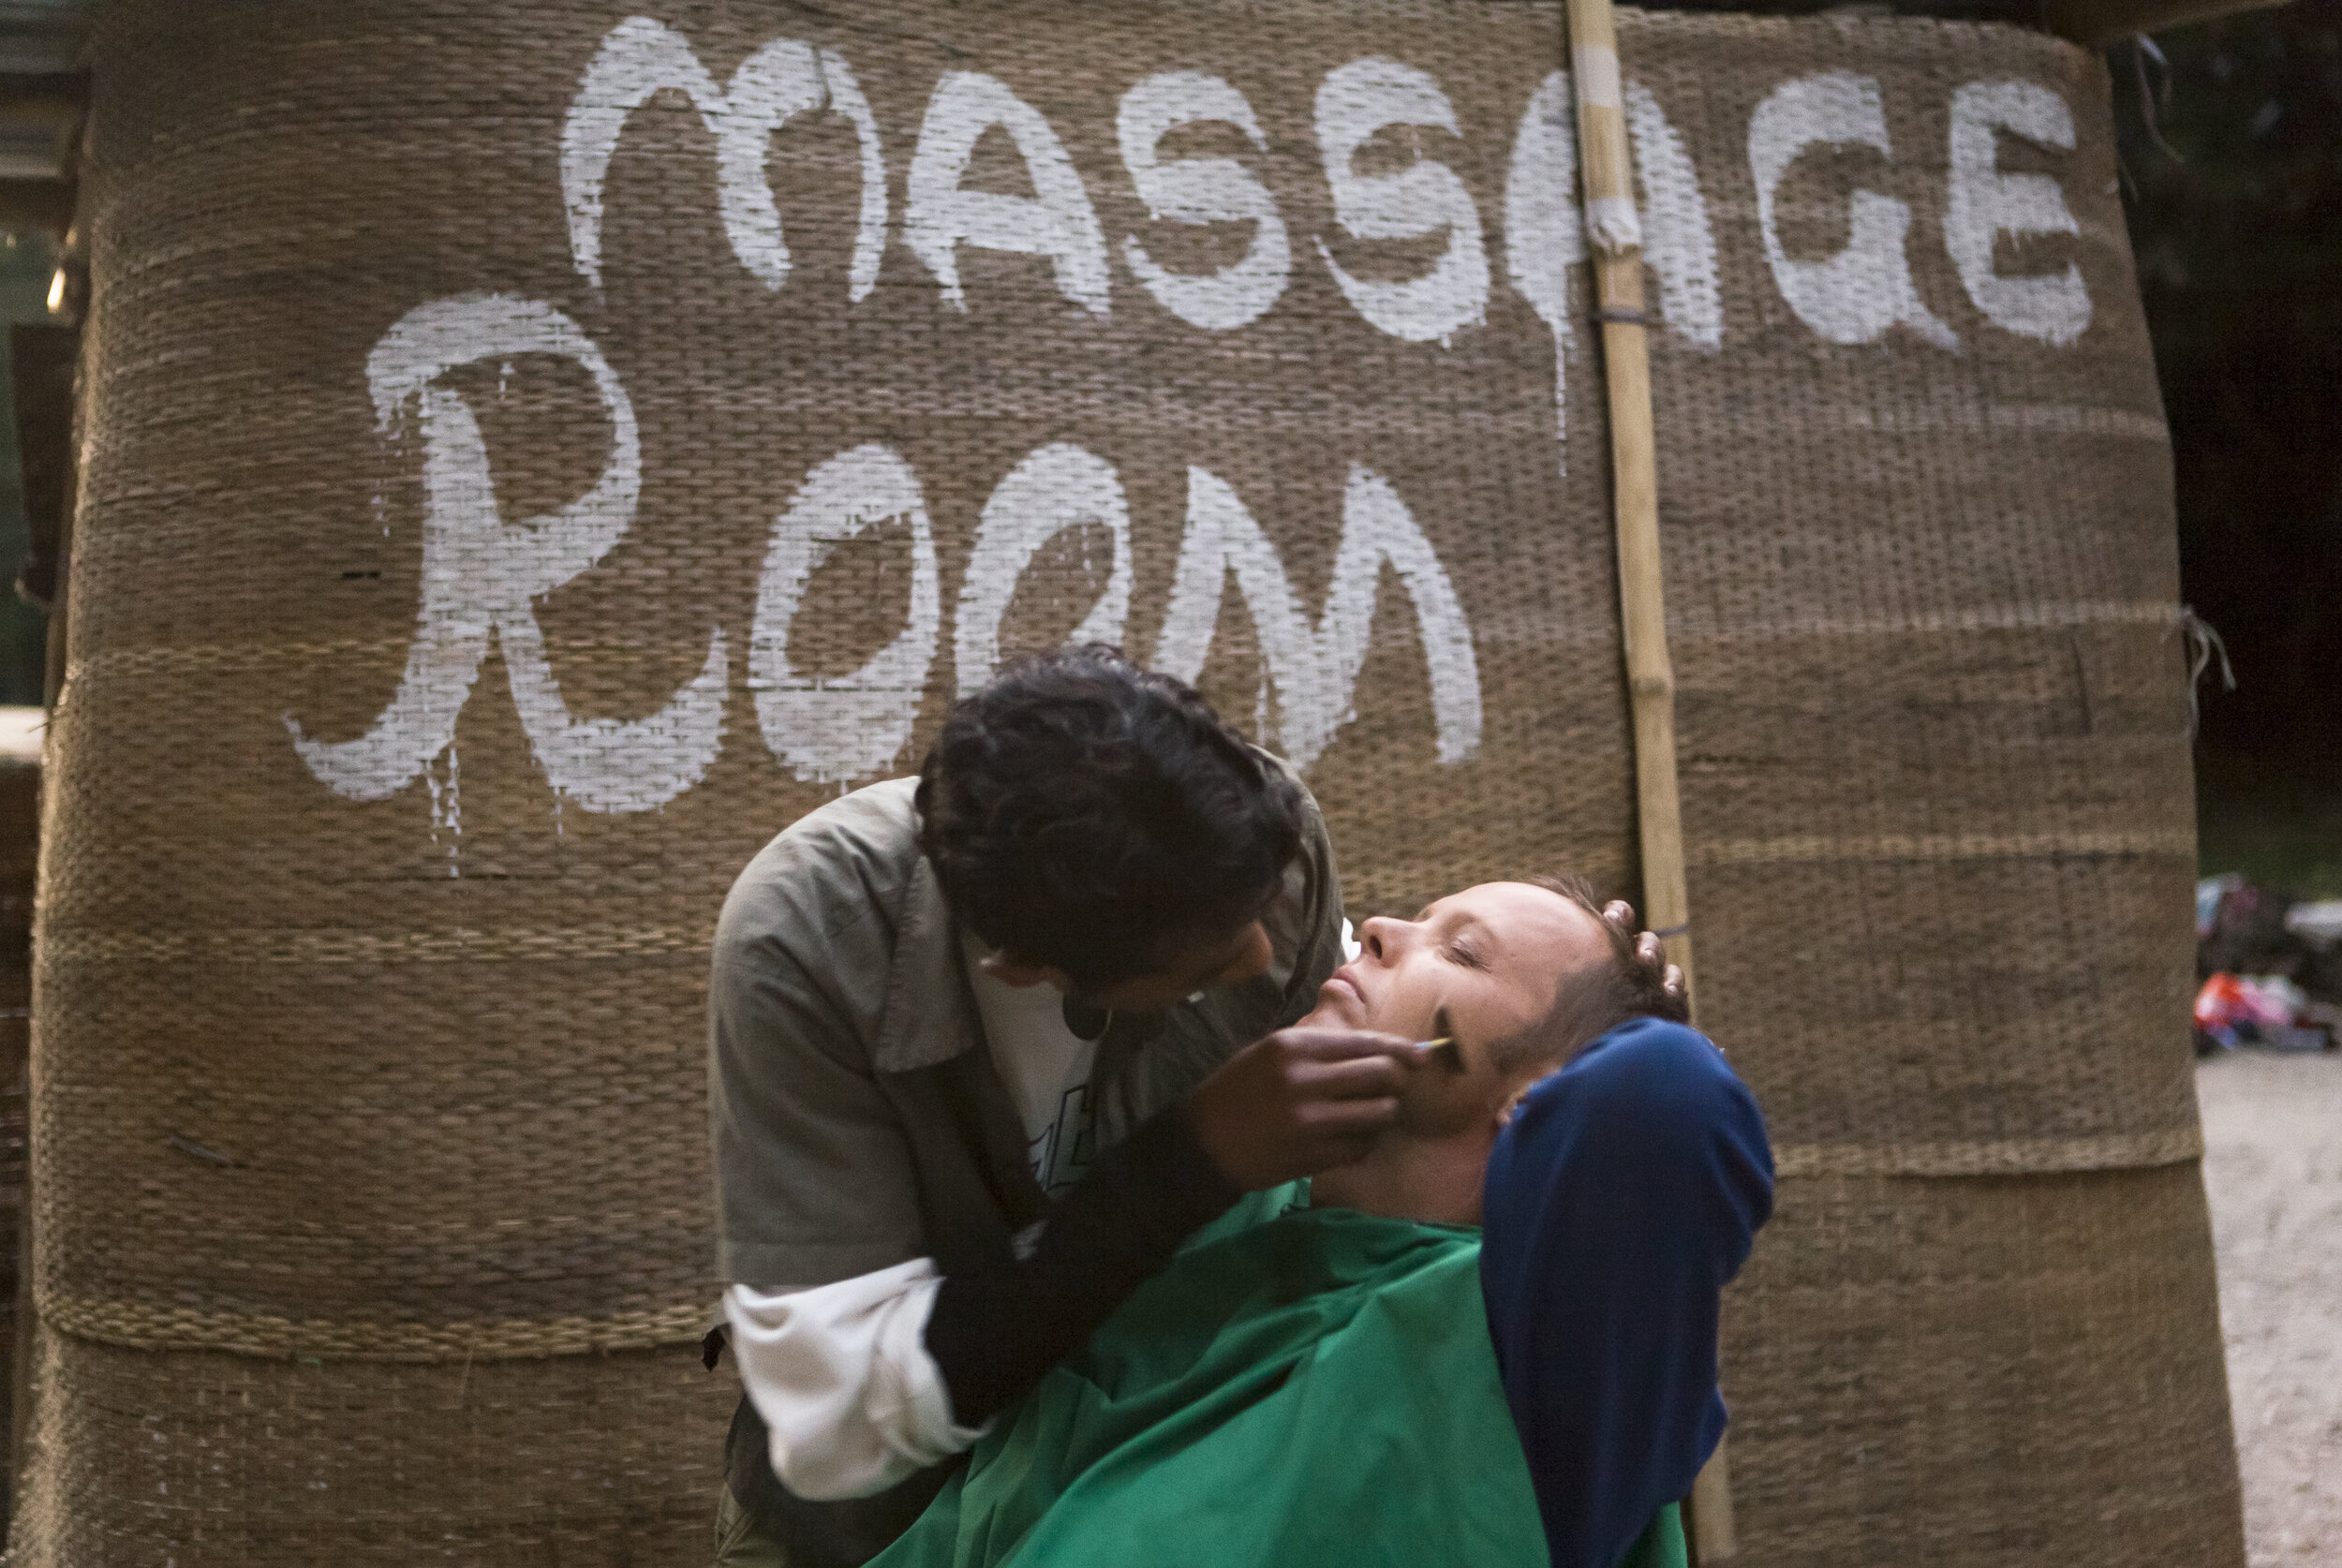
856, 1115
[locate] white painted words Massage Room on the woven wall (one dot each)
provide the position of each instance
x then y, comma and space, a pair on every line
484, 572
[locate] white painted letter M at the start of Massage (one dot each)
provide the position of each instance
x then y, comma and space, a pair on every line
783, 81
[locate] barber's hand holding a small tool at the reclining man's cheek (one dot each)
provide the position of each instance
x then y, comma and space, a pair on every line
1296, 1103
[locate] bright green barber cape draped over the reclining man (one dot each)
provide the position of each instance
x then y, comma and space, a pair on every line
1301, 1389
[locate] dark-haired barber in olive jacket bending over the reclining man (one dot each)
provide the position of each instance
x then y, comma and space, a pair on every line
1053, 979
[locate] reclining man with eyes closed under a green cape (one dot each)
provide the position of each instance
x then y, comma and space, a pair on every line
1313, 1380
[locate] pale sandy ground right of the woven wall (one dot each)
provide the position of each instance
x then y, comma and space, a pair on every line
2273, 1164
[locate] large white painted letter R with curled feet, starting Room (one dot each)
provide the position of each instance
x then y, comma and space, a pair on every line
481, 577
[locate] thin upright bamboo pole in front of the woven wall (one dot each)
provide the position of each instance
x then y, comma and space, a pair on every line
1615, 238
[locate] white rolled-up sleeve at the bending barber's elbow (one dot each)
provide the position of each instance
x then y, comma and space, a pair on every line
844, 1382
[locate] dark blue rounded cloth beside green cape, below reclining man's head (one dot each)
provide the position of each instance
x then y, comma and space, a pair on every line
1619, 1202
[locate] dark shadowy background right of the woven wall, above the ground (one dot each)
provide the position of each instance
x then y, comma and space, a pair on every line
2235, 202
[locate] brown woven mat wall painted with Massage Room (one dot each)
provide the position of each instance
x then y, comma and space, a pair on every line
535, 453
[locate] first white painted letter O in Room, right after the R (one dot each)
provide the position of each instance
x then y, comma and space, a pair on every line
847, 727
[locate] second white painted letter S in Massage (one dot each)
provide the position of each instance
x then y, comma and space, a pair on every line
1427, 198
